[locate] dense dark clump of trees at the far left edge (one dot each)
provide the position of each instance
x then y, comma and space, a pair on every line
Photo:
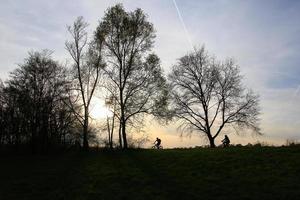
32, 102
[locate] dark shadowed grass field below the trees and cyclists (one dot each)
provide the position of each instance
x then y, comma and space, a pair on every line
232, 173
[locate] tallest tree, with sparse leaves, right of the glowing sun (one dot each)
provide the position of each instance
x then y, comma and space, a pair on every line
128, 38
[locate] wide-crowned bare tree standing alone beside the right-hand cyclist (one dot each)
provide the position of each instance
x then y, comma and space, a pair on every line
208, 96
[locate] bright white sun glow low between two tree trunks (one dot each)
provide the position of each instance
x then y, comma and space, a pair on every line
98, 109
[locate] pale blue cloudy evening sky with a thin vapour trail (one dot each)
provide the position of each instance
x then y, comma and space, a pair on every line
262, 36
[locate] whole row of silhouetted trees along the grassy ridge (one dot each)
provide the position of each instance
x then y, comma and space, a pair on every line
43, 103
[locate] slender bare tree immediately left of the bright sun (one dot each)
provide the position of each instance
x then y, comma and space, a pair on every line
87, 69
